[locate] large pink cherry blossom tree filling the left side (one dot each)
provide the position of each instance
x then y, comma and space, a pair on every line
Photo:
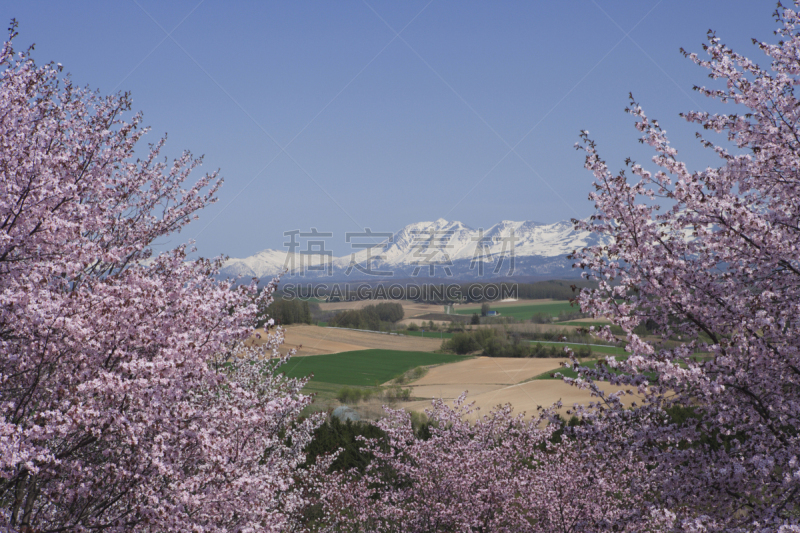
128, 397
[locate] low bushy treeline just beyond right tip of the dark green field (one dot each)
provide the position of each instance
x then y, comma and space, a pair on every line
499, 343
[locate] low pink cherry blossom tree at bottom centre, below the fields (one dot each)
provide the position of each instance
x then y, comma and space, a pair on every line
502, 473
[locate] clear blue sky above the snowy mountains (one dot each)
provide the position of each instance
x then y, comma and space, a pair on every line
351, 114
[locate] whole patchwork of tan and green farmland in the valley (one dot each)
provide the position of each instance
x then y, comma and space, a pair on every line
339, 358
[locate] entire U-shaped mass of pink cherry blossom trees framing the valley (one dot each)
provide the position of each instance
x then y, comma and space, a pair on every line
130, 401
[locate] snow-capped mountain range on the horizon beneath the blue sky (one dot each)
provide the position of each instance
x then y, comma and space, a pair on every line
439, 249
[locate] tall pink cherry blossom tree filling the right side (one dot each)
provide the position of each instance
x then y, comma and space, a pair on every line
711, 259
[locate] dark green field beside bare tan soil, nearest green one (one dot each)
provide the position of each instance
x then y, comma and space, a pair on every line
362, 368
